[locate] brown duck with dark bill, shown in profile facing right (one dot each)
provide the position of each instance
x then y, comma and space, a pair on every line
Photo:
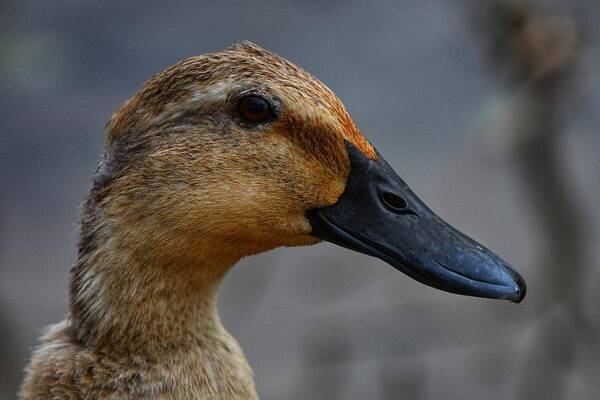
220, 157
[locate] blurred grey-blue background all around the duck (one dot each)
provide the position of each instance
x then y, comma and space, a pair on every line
489, 110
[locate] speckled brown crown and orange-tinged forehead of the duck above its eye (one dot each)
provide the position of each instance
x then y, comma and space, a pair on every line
213, 77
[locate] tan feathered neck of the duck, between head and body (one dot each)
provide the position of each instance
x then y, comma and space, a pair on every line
144, 298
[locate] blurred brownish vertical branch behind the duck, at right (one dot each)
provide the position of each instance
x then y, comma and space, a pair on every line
538, 49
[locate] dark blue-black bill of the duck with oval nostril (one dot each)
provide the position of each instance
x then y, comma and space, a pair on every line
378, 214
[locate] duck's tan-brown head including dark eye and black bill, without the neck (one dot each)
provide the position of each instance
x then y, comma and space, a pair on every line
243, 151
